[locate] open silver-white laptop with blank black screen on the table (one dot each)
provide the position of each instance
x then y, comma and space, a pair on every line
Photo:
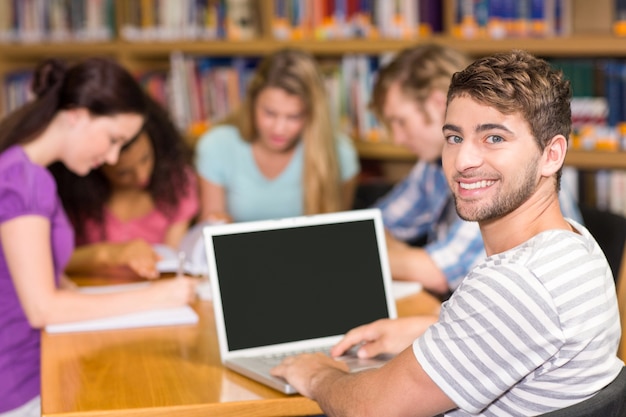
292, 285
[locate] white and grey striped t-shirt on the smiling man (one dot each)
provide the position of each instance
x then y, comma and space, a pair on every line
530, 330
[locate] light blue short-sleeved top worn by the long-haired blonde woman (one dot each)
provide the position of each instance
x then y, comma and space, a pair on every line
224, 158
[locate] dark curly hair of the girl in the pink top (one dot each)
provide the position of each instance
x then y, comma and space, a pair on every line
84, 197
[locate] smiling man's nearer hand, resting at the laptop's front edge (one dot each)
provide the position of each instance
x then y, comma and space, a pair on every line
299, 370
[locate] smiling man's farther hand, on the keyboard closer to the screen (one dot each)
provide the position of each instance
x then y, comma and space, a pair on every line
390, 336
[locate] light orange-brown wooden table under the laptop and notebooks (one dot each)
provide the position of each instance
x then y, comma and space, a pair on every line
163, 371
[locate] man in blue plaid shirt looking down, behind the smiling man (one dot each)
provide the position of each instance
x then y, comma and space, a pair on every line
409, 96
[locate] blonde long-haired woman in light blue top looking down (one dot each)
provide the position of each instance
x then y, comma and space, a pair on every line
278, 155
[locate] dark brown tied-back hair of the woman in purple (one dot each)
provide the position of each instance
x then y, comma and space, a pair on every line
99, 85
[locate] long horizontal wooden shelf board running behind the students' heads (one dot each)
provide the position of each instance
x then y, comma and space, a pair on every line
574, 46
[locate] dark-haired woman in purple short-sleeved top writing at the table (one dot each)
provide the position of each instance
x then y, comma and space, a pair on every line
82, 115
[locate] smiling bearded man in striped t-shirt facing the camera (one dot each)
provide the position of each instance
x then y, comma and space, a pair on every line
535, 326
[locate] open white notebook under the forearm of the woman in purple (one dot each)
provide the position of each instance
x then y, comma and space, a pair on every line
149, 318
